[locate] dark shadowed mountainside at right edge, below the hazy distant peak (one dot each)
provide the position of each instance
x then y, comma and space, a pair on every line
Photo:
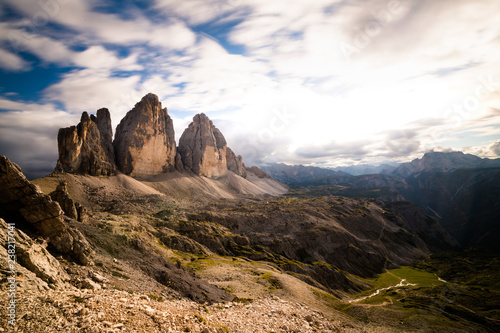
464, 201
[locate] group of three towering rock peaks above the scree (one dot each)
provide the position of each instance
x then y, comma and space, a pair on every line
144, 145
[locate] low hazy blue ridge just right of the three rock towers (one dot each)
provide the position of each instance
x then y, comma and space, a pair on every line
292, 174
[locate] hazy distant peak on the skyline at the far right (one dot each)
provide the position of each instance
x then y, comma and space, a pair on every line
440, 161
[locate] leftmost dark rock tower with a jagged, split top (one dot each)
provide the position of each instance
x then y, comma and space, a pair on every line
85, 148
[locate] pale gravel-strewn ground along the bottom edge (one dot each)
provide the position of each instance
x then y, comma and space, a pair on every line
119, 311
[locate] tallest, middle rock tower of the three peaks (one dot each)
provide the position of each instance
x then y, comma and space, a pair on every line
145, 140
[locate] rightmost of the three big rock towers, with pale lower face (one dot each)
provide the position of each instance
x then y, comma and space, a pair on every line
203, 148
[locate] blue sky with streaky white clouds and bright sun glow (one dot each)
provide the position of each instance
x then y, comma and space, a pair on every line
324, 82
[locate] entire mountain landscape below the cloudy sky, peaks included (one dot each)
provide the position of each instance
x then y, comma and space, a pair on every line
135, 232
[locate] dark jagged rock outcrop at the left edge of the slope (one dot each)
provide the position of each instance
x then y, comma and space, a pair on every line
25, 205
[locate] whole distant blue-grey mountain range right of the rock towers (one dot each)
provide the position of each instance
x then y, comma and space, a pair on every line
461, 191
